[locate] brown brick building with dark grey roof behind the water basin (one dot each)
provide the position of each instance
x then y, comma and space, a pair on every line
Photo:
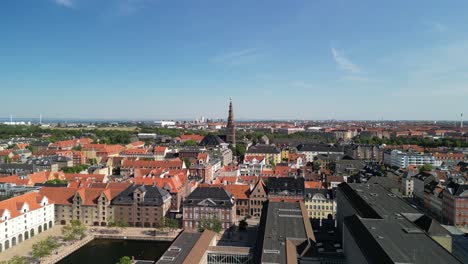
142, 205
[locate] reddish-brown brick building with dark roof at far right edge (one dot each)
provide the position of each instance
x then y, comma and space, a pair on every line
455, 204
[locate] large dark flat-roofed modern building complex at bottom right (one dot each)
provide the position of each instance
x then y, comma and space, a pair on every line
379, 227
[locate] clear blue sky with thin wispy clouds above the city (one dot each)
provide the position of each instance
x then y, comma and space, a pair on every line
173, 59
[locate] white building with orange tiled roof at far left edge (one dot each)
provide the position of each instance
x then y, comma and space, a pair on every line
24, 216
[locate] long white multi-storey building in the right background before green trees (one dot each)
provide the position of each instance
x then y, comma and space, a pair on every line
405, 159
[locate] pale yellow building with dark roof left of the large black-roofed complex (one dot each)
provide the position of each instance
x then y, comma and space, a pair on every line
320, 203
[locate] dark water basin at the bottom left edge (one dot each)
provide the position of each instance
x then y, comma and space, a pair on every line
110, 251
